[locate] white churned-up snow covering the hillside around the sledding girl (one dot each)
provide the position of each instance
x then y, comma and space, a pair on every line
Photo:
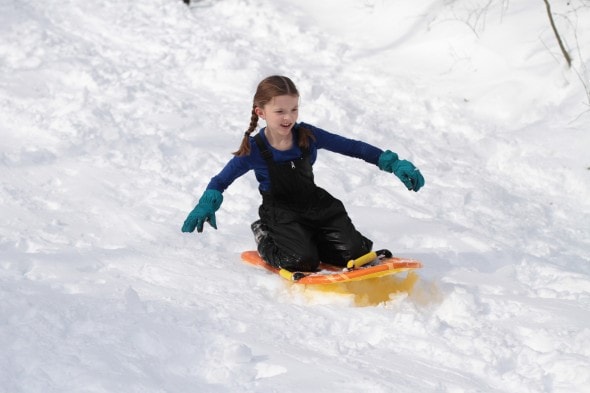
116, 113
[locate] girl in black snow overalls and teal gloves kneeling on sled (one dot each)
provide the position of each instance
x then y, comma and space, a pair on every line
300, 223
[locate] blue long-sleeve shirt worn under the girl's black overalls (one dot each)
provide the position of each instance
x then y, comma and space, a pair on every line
238, 166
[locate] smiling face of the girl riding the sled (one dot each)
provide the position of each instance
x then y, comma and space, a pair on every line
280, 114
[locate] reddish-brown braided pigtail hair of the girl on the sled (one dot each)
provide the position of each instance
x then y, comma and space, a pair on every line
268, 88
